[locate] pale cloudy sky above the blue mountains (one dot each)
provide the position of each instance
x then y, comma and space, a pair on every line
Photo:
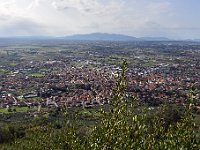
170, 18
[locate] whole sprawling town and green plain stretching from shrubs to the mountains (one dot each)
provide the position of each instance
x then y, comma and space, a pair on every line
82, 74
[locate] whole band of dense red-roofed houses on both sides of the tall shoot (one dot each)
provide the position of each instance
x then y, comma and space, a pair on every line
70, 86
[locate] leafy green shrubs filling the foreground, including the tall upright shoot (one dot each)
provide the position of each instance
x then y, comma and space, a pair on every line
121, 127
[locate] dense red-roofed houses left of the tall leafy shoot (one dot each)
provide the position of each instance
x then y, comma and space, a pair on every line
63, 86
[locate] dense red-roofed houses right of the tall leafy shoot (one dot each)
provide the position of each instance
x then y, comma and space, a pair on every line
165, 83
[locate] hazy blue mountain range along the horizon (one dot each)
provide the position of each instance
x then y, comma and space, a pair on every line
93, 37
